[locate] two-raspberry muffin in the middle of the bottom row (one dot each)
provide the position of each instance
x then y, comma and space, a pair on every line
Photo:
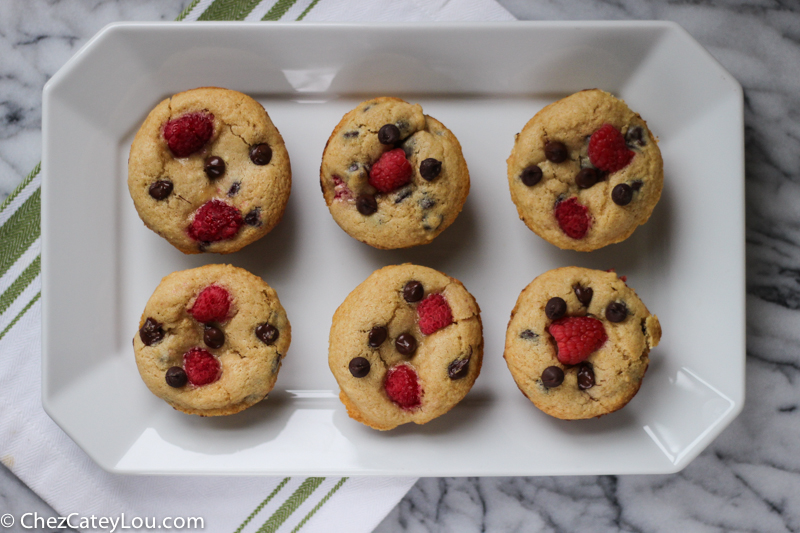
405, 346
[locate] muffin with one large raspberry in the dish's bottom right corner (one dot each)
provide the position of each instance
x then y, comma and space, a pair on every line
578, 342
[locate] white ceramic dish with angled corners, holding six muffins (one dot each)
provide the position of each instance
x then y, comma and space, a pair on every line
101, 264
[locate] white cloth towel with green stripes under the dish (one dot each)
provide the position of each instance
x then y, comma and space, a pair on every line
45, 458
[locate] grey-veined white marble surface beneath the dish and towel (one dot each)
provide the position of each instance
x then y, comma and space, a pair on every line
749, 478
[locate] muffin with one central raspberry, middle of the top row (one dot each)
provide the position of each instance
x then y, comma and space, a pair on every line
391, 176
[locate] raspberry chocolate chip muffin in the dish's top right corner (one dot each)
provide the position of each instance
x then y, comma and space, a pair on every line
585, 171
